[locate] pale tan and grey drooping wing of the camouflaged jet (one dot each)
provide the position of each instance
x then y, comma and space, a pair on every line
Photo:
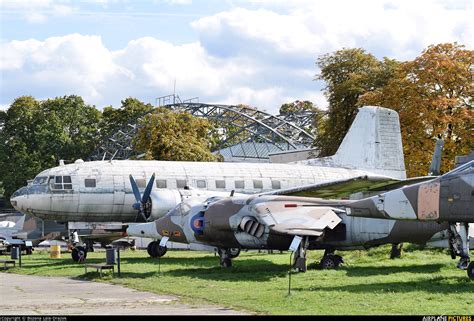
298, 220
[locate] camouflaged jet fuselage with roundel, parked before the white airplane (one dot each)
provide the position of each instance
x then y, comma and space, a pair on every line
222, 219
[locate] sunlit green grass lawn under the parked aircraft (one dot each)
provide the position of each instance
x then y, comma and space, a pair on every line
422, 282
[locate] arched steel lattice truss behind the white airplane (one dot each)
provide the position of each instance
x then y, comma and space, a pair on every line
249, 127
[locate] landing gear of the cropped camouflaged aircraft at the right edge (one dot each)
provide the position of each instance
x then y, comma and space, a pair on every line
459, 246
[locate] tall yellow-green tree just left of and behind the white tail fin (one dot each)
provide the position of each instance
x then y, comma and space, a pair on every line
348, 73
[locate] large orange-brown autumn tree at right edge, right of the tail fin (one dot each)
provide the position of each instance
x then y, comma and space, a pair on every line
433, 95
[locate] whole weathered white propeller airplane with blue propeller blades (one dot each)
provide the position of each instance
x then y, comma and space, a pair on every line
127, 191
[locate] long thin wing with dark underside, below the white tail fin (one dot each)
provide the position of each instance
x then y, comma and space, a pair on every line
344, 187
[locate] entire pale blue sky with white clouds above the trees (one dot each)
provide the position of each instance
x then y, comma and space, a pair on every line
255, 52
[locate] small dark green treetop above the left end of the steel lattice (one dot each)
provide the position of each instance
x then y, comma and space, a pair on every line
113, 119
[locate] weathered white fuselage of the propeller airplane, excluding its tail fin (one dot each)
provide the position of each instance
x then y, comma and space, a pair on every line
112, 198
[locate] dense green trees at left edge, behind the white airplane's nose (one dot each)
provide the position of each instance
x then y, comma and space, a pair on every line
35, 135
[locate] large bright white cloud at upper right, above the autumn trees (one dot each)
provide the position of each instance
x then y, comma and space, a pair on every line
307, 28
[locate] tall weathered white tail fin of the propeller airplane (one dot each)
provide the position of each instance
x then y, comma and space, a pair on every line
373, 143
